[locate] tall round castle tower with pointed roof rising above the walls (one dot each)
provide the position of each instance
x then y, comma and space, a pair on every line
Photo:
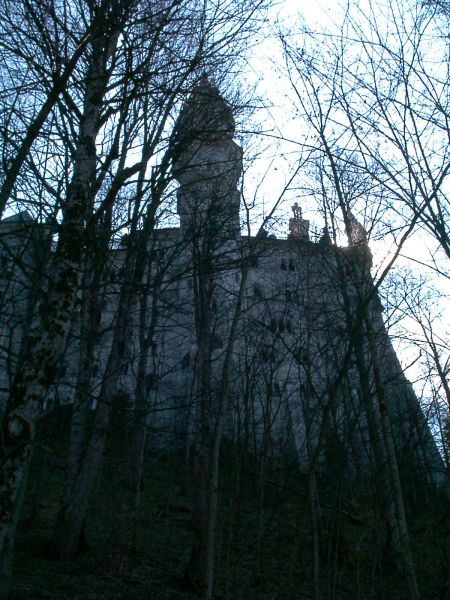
208, 164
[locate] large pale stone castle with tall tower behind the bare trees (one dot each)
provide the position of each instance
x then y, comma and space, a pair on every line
292, 327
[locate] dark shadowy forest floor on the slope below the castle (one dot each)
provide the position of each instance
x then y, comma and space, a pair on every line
265, 545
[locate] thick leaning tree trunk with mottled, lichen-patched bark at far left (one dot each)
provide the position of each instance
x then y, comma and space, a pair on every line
49, 334
